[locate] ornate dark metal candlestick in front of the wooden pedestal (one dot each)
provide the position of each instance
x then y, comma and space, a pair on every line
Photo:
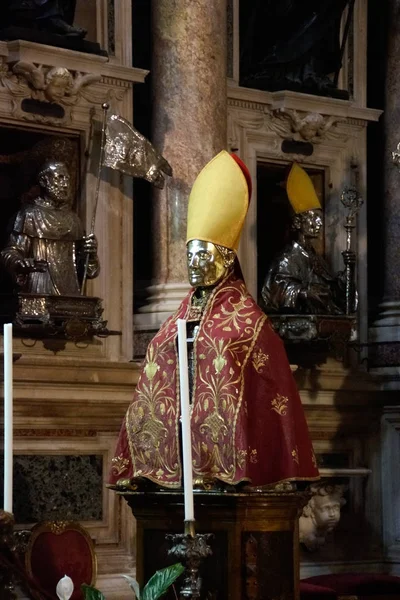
190, 548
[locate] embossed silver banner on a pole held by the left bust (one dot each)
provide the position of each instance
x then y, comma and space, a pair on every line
126, 150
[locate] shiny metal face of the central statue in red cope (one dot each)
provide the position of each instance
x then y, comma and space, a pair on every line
205, 264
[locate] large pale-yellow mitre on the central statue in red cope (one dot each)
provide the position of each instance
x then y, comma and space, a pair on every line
219, 201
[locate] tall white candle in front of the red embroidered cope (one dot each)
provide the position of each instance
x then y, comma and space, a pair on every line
185, 419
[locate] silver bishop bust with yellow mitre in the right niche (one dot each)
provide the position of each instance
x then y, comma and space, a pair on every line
299, 280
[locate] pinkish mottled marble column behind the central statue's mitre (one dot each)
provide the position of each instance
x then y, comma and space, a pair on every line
189, 128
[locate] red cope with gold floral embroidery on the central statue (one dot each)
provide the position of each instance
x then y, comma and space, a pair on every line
247, 421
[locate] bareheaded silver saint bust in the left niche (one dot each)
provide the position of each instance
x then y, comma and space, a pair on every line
47, 248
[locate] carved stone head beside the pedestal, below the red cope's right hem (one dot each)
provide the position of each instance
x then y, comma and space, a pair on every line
321, 514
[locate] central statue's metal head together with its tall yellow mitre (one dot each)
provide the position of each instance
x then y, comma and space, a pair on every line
217, 209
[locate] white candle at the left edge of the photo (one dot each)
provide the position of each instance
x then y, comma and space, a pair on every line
8, 417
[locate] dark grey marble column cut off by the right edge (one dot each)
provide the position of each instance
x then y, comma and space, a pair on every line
385, 355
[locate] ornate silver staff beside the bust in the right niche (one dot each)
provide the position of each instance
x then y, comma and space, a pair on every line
351, 200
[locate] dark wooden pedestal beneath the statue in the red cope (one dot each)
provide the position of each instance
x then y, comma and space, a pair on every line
255, 544
